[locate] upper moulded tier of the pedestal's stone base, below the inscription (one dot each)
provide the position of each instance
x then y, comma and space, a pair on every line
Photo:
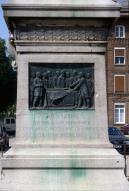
57, 157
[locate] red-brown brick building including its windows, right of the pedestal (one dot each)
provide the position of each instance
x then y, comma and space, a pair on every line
118, 70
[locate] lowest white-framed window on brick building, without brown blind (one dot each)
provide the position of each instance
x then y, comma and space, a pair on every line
119, 113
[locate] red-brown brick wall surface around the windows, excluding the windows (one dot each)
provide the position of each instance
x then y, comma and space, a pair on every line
117, 70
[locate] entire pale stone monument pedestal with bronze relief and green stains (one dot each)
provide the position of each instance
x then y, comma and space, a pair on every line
61, 138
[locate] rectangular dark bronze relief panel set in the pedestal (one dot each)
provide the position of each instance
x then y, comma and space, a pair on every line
61, 86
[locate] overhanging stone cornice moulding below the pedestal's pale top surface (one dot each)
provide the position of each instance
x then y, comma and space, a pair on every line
67, 11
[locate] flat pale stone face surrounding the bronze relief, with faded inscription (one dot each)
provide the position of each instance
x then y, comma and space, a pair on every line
64, 126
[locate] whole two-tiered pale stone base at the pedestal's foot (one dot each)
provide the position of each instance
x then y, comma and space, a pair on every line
48, 169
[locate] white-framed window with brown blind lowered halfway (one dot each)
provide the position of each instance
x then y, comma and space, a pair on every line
119, 56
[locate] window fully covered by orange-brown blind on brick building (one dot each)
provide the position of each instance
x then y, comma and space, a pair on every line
119, 83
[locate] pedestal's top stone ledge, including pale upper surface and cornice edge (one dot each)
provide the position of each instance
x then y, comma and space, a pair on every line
62, 9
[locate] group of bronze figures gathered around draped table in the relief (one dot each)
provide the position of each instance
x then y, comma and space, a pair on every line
55, 86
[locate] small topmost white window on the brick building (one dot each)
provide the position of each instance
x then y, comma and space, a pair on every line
120, 31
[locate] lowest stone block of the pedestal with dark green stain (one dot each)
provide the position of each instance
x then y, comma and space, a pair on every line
63, 179
